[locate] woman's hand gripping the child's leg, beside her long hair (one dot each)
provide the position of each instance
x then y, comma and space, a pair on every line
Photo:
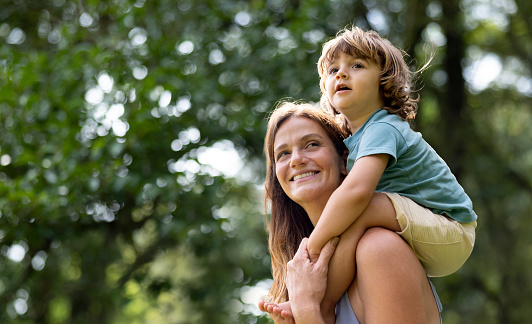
306, 281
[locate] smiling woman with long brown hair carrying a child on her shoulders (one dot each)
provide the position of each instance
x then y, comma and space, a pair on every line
306, 163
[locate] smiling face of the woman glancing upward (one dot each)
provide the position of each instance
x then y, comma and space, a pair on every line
306, 162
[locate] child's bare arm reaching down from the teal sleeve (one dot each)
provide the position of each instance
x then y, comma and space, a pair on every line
348, 201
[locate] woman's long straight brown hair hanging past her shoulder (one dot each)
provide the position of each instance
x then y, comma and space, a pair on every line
289, 223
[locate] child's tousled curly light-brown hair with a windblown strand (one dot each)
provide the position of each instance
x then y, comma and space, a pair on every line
396, 78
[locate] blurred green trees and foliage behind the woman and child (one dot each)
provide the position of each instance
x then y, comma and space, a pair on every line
131, 134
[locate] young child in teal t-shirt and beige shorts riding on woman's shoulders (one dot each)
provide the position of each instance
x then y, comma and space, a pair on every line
365, 80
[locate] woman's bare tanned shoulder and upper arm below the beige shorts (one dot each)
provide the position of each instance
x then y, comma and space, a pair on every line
391, 285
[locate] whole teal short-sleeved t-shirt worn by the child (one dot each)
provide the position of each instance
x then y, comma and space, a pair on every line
415, 170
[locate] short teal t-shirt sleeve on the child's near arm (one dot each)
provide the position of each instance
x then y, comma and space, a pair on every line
380, 138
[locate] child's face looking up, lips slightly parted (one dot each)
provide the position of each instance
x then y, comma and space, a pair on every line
352, 86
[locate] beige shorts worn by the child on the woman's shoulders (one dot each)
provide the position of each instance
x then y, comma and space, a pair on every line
441, 243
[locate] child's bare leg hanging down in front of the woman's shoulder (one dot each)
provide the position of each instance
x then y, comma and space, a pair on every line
342, 270
